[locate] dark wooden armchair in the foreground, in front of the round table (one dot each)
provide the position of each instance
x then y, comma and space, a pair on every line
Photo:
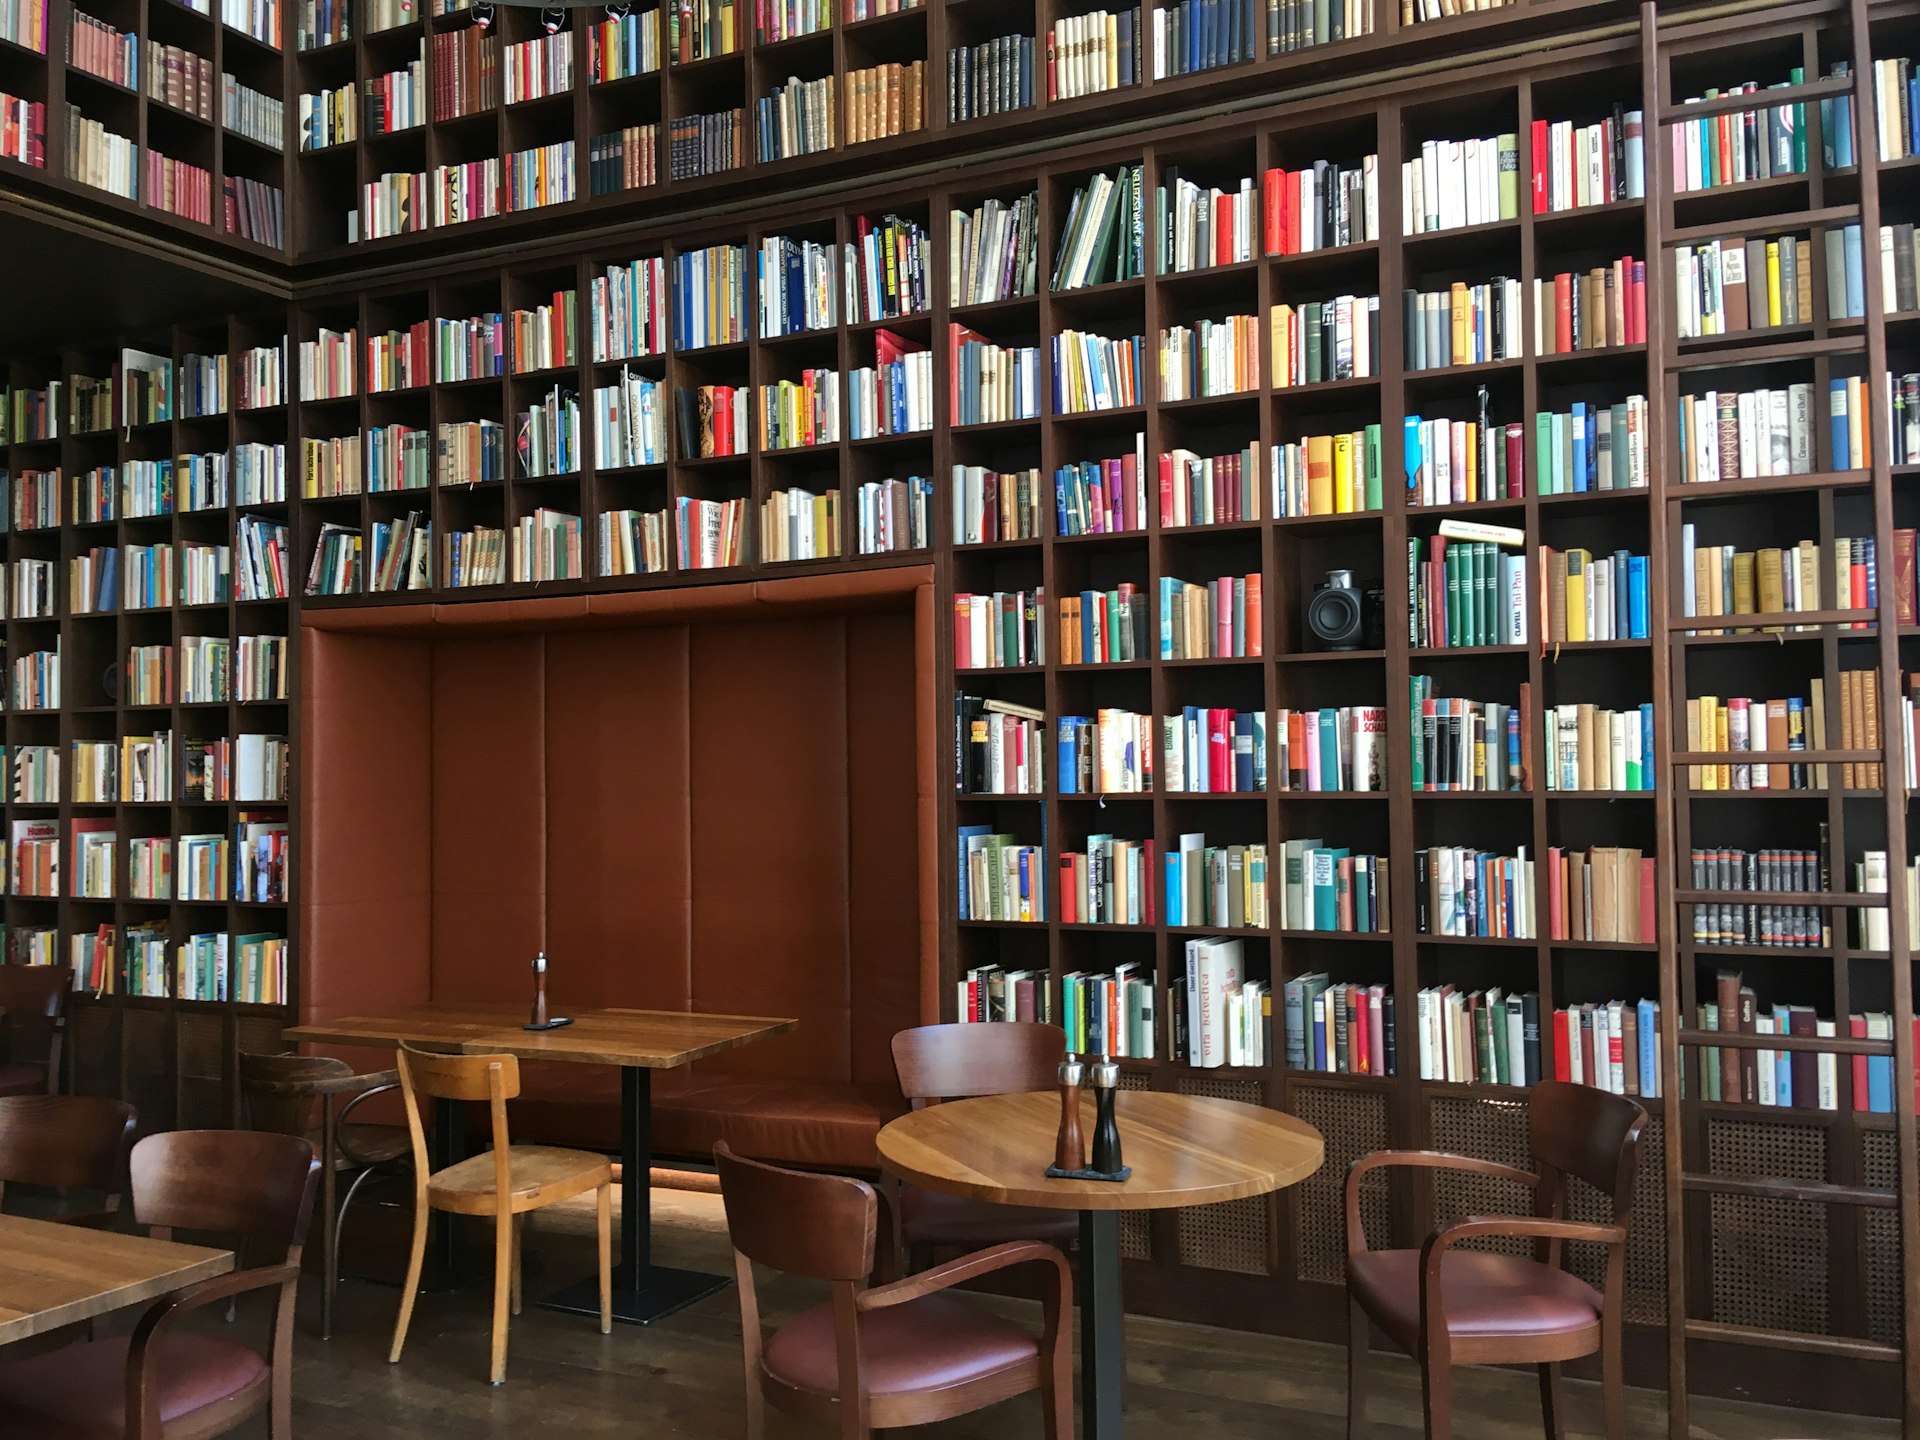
894, 1355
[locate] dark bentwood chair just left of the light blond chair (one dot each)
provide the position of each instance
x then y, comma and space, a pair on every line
283, 1093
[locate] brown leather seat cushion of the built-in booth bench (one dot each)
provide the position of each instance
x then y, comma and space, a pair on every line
790, 1122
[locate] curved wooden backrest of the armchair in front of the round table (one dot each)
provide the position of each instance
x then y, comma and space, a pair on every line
798, 1222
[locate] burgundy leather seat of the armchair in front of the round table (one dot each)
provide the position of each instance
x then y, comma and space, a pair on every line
924, 1345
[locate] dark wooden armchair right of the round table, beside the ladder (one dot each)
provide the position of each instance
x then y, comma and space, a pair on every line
1452, 1307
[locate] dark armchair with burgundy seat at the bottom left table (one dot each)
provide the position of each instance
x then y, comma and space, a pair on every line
174, 1381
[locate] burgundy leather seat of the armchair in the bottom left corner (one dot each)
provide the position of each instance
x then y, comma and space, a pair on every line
80, 1393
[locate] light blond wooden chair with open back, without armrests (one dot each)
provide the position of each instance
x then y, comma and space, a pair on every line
506, 1184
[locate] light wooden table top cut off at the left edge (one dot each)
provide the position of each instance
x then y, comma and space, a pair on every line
55, 1276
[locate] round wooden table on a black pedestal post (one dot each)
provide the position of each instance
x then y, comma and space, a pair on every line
1184, 1149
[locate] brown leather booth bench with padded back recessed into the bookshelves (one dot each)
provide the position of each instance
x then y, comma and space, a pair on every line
696, 800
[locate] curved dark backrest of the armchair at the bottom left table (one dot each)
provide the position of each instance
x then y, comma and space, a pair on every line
241, 1184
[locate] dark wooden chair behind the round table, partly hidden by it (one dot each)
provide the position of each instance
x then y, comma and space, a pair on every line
955, 1063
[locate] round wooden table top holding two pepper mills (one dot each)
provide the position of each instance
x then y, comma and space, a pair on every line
1184, 1149
